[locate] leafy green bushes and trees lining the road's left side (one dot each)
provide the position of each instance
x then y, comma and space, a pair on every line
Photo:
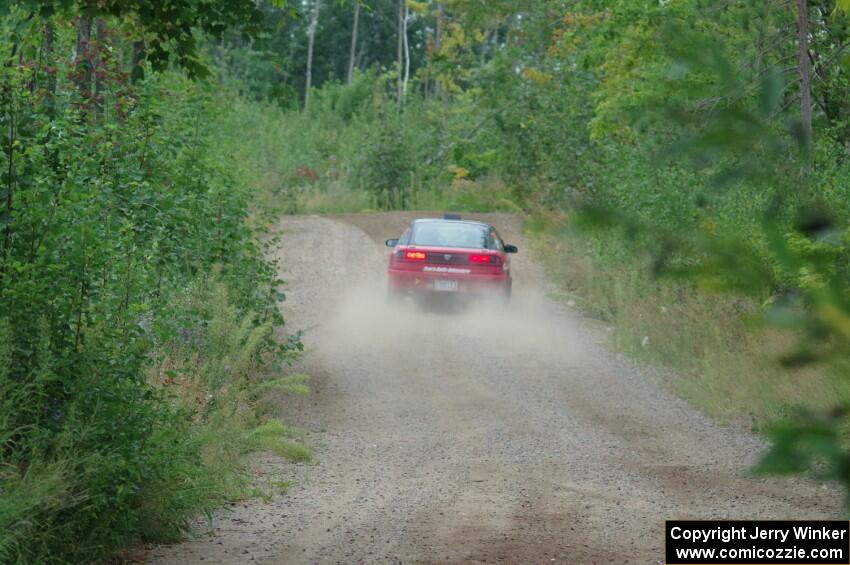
137, 310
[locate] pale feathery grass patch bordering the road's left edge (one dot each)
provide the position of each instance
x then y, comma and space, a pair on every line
223, 378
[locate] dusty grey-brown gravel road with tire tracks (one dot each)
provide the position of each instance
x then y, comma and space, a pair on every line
481, 437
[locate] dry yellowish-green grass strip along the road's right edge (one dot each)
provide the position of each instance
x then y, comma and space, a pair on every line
724, 363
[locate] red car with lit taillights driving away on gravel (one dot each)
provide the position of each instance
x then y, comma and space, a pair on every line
449, 257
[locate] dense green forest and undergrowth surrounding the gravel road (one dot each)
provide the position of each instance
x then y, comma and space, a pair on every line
681, 167
